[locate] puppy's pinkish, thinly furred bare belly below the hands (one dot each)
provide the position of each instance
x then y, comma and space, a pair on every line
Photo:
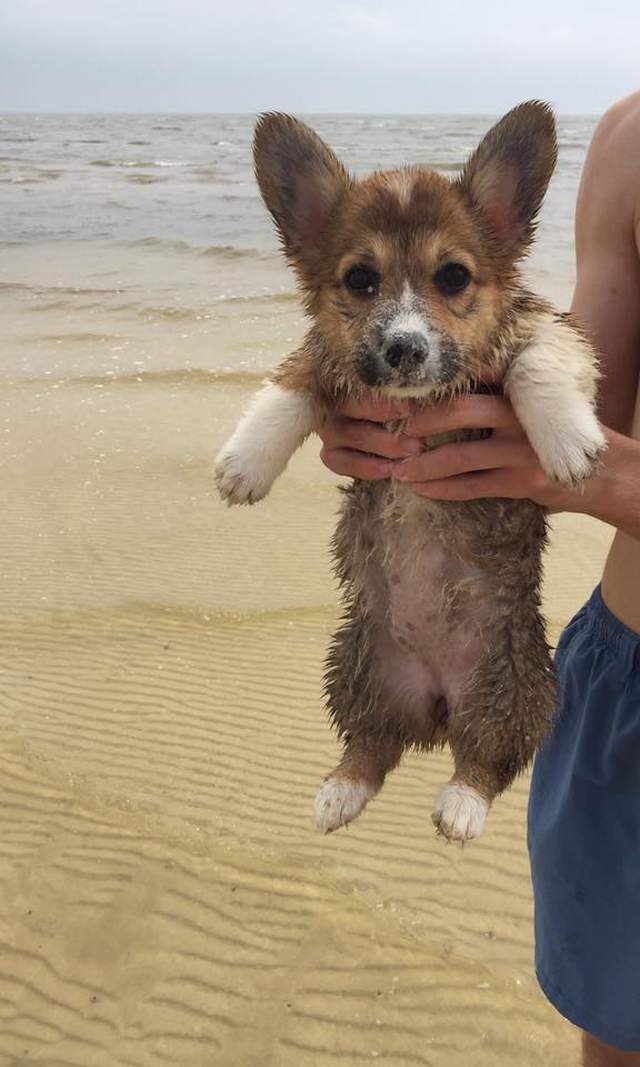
430, 608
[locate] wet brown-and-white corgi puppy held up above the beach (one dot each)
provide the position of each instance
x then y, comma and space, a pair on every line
412, 286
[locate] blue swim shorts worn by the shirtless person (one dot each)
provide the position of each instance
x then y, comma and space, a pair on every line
585, 832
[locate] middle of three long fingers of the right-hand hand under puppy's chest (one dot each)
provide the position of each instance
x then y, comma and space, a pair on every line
450, 461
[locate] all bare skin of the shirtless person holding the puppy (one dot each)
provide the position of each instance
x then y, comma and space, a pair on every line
607, 305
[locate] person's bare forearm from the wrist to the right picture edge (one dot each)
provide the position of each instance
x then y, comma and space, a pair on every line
613, 495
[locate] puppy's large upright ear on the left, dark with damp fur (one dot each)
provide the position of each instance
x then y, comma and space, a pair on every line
300, 179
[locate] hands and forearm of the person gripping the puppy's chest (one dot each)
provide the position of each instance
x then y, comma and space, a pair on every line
505, 465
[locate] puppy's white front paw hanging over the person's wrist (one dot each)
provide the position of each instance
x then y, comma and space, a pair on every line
570, 452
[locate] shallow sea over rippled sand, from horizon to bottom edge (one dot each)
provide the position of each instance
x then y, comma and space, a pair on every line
164, 896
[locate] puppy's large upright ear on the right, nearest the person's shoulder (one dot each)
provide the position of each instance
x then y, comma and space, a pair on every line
507, 177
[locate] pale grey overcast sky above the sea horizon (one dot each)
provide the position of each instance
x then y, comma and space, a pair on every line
404, 56
